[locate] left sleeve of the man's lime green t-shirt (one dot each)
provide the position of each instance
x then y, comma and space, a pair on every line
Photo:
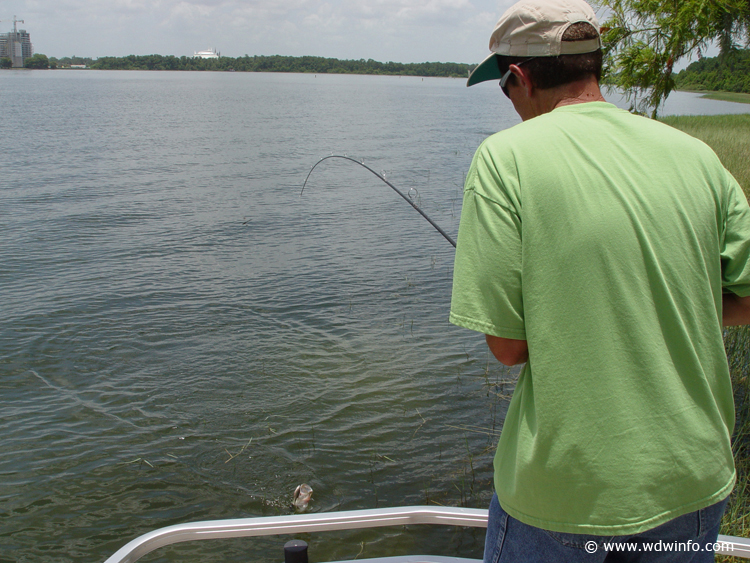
487, 291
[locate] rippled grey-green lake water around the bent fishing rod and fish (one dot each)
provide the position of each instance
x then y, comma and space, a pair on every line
186, 337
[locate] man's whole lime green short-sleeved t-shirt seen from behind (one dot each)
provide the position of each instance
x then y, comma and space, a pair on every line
605, 240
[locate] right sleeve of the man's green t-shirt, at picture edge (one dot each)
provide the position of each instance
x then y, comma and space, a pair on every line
735, 251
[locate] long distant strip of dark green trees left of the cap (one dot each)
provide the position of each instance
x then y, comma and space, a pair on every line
278, 63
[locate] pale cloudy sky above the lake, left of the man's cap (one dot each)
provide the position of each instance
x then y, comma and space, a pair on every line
406, 31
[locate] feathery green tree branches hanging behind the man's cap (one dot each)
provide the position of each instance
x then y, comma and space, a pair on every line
643, 39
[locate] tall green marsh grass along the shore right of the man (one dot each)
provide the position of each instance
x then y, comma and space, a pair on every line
729, 136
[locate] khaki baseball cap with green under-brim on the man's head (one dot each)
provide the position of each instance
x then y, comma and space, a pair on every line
534, 28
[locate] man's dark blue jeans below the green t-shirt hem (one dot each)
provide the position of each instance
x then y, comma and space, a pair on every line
686, 539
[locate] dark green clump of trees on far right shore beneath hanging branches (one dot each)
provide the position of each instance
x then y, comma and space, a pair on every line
729, 72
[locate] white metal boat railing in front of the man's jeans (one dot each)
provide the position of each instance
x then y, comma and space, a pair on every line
332, 521
